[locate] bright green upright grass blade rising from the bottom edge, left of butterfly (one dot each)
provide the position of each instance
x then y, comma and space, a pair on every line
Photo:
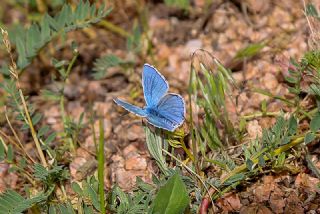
101, 166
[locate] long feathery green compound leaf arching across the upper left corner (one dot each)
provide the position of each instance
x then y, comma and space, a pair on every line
31, 40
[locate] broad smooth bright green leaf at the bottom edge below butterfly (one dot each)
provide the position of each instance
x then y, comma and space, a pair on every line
171, 198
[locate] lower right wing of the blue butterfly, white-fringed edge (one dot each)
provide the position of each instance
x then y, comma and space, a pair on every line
169, 113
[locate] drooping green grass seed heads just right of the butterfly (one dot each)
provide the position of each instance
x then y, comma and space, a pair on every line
208, 89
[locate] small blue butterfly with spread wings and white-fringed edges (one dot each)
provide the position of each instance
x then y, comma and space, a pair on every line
163, 110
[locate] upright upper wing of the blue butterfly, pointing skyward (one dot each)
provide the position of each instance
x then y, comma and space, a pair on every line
154, 85
